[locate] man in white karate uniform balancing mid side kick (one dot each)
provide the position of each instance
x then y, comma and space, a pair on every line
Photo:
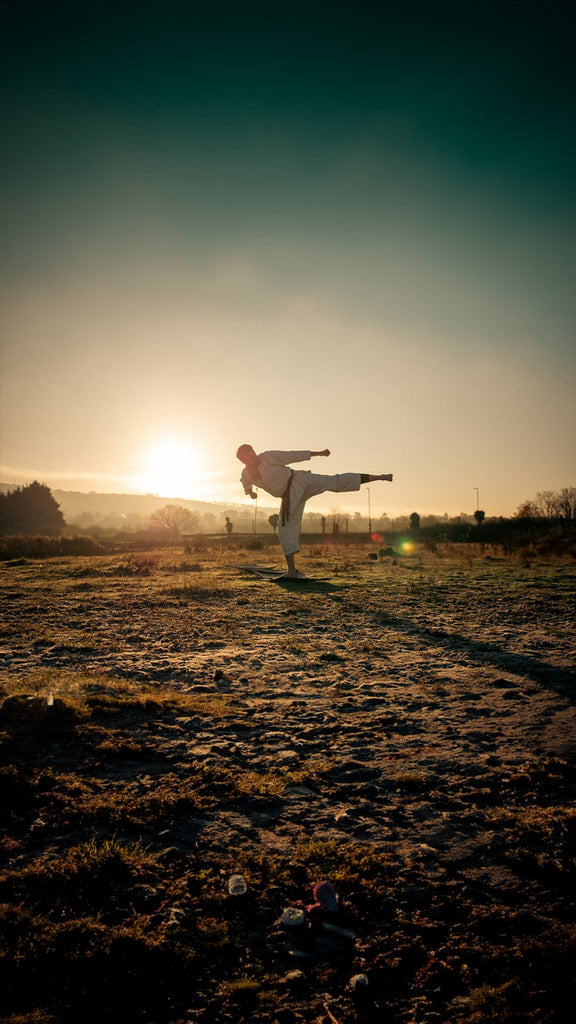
270, 472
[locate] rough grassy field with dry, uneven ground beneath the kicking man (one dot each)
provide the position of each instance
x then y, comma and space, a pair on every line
402, 728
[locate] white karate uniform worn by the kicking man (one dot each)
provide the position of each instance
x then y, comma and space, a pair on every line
295, 487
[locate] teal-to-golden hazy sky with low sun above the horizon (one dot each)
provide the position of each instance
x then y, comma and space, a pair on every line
341, 224
